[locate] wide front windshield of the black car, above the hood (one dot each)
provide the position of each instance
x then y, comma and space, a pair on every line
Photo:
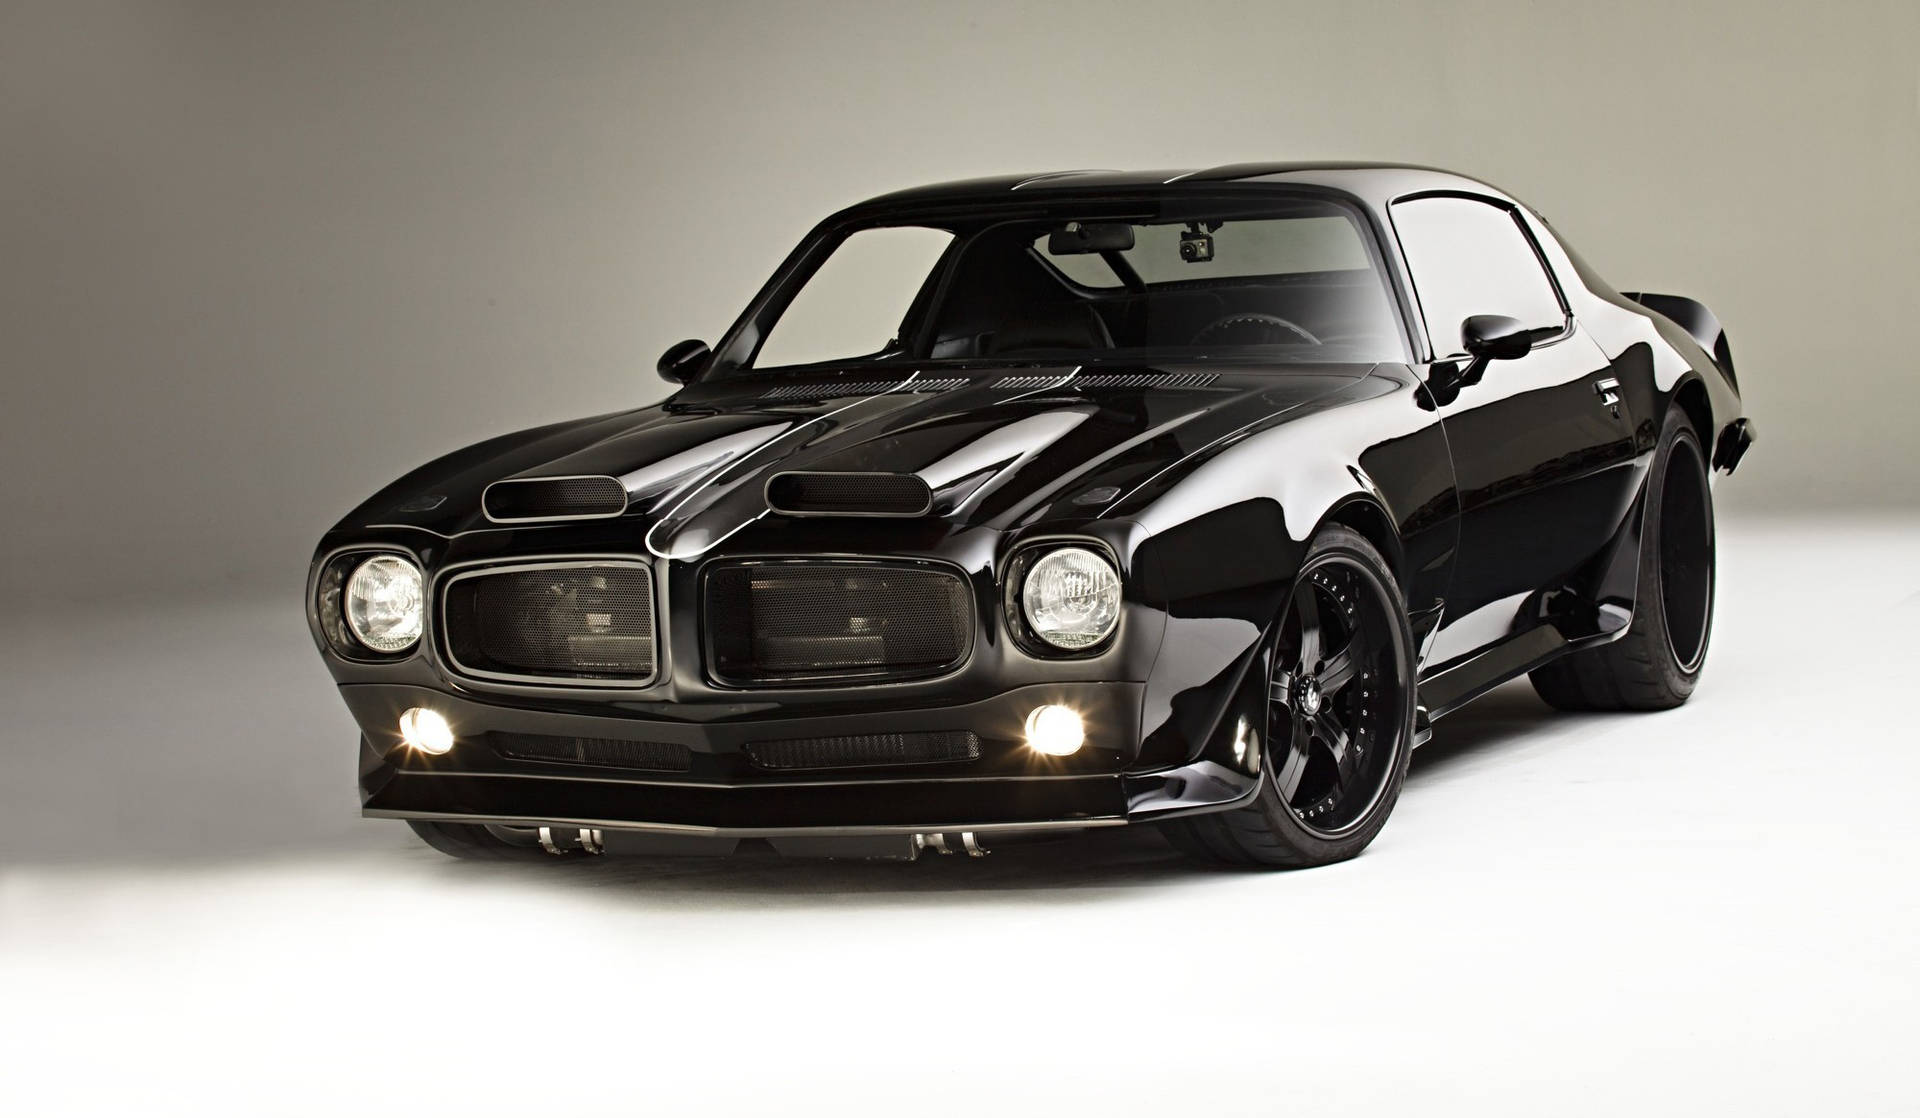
1186, 281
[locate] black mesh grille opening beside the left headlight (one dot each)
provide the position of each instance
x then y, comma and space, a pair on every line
573, 623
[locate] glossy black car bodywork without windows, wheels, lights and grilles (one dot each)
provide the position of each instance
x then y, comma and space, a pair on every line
1506, 497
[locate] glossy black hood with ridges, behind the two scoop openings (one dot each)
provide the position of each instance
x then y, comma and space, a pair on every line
997, 449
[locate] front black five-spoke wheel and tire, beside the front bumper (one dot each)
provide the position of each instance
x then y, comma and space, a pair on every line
1339, 719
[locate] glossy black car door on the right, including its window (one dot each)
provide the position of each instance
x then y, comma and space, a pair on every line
1543, 445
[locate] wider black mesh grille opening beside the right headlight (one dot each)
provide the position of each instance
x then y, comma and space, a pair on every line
798, 621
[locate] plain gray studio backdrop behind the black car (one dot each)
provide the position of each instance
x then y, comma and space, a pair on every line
260, 258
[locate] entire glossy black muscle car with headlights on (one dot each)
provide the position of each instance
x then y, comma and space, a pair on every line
1055, 502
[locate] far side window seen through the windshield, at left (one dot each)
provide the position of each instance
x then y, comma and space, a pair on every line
855, 301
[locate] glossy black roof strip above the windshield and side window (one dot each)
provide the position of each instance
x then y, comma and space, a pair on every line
1376, 183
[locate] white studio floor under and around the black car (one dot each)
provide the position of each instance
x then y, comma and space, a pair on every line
1706, 911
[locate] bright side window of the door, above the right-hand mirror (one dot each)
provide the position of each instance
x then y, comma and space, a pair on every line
1472, 258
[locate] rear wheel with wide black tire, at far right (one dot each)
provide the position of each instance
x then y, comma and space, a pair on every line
1658, 664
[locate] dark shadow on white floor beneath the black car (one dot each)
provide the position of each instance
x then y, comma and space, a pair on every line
1072, 867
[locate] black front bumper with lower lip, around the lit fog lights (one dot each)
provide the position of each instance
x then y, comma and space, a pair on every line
723, 794
